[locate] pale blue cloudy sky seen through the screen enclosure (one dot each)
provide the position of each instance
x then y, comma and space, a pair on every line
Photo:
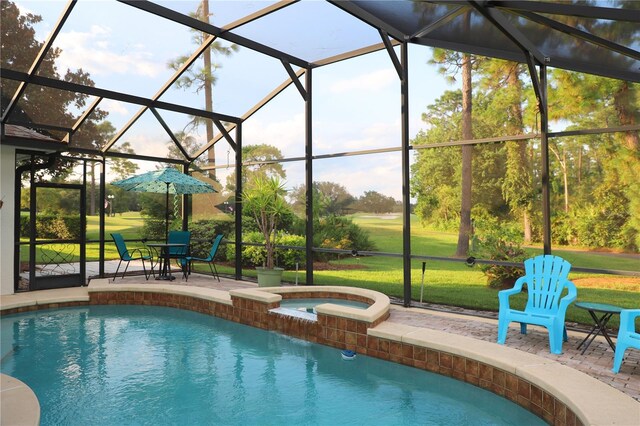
356, 103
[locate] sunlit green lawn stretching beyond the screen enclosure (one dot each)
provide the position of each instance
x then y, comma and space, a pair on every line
447, 283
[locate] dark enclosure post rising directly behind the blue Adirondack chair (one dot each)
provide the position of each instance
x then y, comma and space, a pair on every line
544, 148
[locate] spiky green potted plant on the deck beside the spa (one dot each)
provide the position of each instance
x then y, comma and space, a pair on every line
264, 200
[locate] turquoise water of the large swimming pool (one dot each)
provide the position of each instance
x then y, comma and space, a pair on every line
137, 365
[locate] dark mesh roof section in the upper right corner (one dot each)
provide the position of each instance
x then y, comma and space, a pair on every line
479, 35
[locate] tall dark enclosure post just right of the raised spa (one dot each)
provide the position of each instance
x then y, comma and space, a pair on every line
406, 193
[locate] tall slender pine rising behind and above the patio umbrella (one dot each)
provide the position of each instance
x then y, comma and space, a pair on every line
203, 78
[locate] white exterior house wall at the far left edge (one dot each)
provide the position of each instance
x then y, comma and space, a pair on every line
7, 216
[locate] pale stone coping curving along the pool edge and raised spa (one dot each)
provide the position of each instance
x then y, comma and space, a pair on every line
592, 402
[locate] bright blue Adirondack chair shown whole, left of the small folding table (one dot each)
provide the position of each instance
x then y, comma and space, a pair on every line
546, 279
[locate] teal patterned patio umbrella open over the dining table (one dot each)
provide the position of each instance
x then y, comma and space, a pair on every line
168, 181
